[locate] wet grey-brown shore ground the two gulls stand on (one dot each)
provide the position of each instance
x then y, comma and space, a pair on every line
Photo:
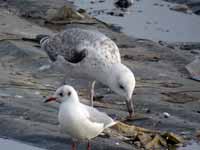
166, 97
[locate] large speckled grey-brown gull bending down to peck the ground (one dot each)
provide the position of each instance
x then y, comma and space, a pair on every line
89, 54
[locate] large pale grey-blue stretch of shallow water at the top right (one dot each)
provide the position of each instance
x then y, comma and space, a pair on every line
150, 19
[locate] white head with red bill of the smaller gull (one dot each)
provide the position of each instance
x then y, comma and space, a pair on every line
64, 93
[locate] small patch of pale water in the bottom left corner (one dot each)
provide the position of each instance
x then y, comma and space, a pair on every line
6, 144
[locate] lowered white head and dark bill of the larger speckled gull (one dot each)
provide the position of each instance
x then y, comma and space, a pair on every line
122, 82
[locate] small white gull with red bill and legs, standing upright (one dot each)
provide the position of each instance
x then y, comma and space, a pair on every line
79, 121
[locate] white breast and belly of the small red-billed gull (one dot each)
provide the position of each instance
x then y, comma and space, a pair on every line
73, 121
